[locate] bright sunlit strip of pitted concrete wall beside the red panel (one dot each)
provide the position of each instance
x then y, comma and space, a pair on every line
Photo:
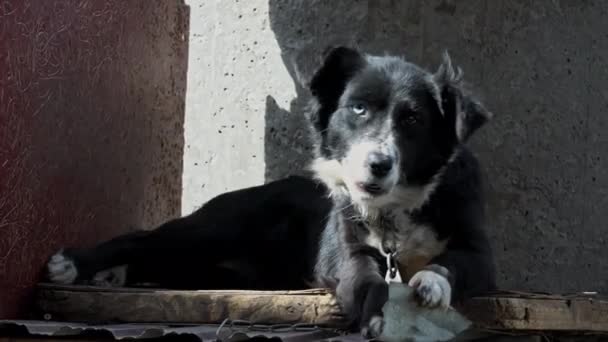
235, 64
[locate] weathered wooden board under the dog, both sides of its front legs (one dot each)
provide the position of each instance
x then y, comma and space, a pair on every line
502, 311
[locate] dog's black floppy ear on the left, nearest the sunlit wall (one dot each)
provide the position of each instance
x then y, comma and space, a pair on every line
329, 82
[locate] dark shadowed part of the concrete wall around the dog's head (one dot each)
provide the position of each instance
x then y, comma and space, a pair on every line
540, 70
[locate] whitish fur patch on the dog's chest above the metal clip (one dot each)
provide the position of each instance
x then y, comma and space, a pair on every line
415, 245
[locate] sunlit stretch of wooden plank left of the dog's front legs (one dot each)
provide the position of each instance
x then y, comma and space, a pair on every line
88, 304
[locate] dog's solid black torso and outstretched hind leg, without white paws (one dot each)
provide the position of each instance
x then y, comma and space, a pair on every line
262, 237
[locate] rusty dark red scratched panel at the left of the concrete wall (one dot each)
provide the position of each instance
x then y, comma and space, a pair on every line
91, 127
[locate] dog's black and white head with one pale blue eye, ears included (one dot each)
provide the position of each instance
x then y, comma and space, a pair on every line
383, 125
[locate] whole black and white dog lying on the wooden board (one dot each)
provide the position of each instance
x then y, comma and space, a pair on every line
389, 140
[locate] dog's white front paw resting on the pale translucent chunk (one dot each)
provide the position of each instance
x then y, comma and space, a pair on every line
432, 288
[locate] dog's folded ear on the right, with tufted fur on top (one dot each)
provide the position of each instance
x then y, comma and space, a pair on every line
459, 107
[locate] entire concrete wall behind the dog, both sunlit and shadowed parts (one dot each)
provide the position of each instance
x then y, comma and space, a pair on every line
541, 67
